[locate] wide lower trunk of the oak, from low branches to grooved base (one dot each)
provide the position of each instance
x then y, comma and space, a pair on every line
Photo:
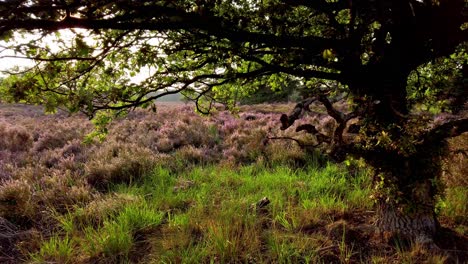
406, 195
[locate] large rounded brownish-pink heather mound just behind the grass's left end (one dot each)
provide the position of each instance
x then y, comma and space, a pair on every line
116, 162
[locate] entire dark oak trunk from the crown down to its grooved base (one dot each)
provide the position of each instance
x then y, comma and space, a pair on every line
406, 203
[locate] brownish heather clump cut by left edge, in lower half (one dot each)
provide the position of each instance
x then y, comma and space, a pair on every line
15, 200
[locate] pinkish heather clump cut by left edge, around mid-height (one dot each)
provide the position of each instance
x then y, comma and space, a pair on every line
14, 138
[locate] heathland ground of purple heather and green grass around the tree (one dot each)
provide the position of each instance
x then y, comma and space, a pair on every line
172, 186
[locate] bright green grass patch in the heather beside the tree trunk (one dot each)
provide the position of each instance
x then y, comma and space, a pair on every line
206, 214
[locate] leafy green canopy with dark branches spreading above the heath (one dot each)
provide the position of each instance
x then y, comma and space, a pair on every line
201, 46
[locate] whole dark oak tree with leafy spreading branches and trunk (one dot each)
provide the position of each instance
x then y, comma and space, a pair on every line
388, 56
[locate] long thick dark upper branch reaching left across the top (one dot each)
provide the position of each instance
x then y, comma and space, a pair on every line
161, 18
